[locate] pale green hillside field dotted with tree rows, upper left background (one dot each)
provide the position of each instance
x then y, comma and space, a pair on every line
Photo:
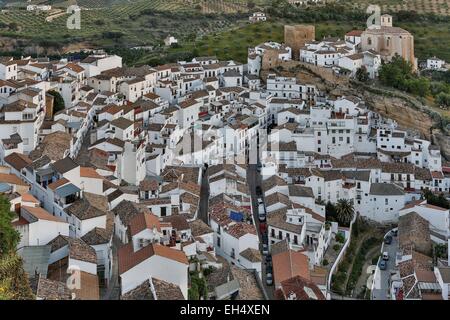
140, 22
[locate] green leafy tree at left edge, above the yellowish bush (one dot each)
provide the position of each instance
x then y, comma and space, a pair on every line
9, 237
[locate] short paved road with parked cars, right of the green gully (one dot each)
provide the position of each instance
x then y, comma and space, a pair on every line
382, 287
